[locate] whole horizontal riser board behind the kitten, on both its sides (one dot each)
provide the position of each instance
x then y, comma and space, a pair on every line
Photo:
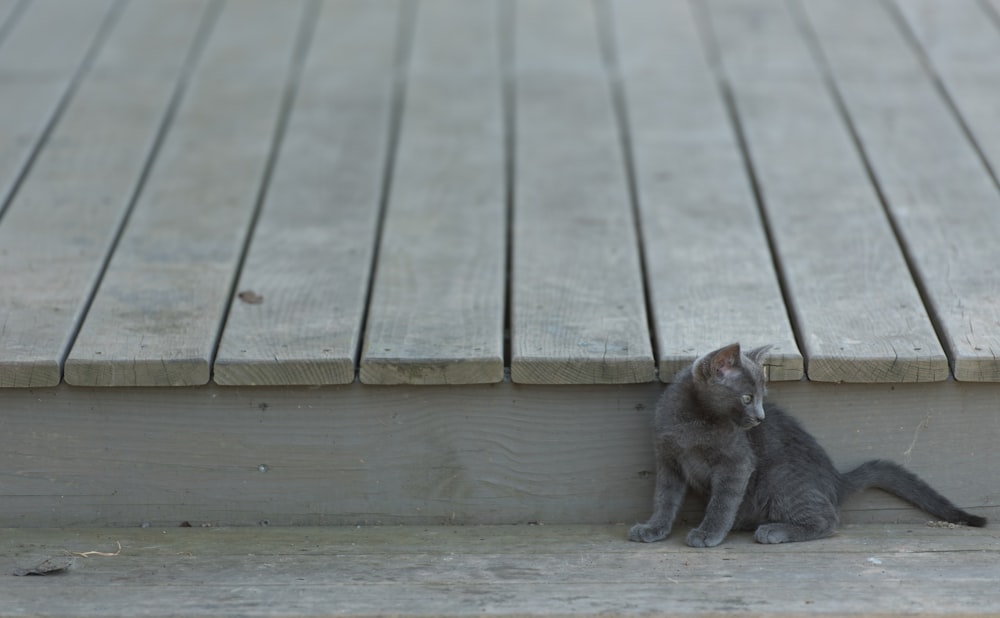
502, 453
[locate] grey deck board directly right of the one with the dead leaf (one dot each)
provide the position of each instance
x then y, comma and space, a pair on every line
437, 309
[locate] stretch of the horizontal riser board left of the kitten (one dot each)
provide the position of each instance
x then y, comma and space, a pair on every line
331, 455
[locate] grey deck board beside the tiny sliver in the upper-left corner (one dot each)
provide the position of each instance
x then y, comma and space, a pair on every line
35, 75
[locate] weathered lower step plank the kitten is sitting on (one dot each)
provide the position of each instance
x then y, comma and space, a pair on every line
522, 570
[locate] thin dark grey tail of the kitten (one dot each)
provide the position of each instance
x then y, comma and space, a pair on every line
899, 481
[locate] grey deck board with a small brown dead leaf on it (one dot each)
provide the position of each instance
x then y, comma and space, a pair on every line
311, 253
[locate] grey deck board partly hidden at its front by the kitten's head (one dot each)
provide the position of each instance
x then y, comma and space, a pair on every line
711, 277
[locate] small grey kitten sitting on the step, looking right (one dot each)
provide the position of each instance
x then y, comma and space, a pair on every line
758, 467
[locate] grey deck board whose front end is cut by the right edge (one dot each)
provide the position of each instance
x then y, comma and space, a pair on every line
941, 196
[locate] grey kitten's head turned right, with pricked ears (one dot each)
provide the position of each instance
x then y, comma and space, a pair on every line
733, 383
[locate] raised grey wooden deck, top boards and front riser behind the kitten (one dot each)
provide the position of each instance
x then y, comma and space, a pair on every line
223, 225
